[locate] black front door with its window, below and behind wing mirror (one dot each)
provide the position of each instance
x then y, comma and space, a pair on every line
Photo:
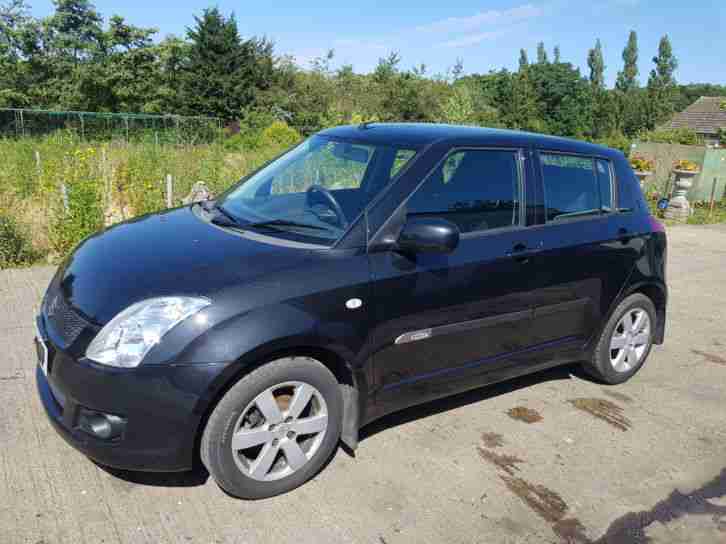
445, 323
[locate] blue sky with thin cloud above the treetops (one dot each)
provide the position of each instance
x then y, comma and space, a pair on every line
485, 34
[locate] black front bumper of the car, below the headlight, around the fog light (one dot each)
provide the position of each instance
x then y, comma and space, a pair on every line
163, 406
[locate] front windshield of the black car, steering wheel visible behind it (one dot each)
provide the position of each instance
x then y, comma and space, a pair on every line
314, 191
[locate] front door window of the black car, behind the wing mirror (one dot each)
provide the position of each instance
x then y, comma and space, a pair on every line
475, 189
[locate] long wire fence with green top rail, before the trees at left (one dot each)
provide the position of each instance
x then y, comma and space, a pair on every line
168, 129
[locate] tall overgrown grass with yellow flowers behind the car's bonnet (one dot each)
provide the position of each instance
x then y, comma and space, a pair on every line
55, 191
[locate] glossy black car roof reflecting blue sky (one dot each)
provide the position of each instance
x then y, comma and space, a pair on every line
423, 134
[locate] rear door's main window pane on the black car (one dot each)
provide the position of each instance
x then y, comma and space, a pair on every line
570, 186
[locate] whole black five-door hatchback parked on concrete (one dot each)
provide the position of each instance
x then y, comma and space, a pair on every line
366, 270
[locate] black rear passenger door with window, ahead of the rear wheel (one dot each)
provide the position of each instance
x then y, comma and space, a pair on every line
585, 258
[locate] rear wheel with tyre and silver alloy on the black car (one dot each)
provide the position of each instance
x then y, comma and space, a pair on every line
625, 342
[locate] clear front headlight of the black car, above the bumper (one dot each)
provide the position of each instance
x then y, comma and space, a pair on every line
128, 337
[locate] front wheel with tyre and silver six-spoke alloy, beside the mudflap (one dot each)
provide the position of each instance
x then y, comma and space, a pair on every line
274, 429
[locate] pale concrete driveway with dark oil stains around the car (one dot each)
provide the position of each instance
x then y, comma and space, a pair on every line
549, 458
